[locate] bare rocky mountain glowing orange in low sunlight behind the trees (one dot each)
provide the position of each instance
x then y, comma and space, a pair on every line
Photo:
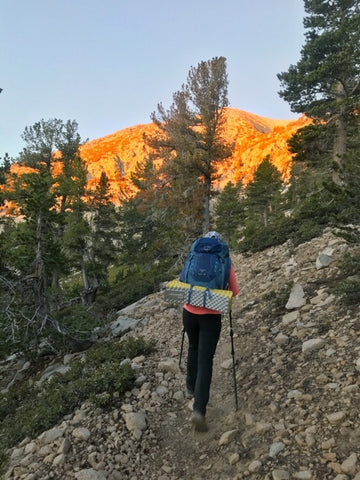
254, 136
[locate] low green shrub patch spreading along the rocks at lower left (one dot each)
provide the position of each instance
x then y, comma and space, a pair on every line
99, 377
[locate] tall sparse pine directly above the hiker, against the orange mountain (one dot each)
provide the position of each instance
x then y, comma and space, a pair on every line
191, 140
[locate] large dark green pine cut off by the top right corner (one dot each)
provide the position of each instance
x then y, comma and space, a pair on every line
325, 83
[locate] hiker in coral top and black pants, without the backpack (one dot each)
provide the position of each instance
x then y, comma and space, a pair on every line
203, 326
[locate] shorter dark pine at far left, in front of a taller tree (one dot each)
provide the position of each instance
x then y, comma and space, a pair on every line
33, 252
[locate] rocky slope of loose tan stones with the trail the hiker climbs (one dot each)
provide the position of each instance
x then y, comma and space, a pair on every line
297, 371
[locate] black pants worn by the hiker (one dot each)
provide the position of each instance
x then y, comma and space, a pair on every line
203, 332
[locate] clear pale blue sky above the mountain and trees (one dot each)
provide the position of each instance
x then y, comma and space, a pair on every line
108, 63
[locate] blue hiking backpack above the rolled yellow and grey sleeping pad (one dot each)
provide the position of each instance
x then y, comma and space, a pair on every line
208, 264
